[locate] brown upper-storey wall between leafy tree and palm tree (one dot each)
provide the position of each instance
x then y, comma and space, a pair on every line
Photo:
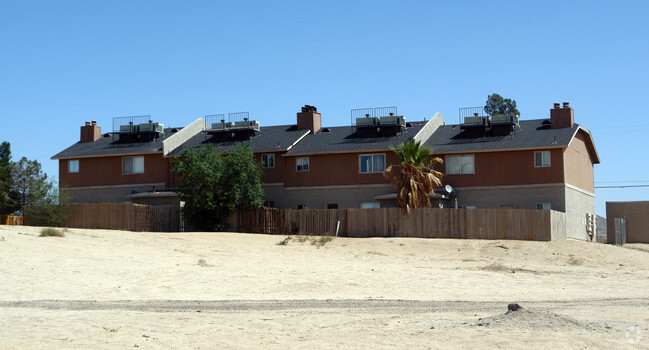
334, 170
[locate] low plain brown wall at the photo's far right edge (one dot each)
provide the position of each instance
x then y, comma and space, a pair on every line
637, 220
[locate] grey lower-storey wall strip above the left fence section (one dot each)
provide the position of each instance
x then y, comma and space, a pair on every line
108, 194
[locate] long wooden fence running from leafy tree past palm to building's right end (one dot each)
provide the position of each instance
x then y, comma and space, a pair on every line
521, 224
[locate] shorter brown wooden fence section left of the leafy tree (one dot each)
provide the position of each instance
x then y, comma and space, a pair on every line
131, 217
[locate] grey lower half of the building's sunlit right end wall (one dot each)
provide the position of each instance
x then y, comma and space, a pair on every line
578, 204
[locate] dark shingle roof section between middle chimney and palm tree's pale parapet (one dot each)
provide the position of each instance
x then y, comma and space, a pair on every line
344, 139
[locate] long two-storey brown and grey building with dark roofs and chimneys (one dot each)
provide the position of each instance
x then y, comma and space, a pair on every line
490, 161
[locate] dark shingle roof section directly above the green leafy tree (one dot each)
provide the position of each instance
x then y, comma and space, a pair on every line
270, 138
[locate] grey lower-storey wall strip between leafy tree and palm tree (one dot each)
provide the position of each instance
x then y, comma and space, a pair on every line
318, 197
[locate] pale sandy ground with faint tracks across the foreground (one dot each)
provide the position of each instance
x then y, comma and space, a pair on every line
104, 289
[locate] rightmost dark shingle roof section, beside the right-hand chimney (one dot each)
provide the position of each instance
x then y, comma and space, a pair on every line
531, 134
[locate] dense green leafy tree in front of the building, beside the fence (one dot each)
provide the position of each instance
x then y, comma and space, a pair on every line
215, 184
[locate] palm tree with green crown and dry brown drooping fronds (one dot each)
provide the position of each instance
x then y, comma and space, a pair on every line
415, 178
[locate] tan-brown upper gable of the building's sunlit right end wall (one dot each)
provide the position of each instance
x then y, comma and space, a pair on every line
579, 165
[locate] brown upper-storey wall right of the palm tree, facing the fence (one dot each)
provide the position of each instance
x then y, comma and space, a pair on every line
507, 168
